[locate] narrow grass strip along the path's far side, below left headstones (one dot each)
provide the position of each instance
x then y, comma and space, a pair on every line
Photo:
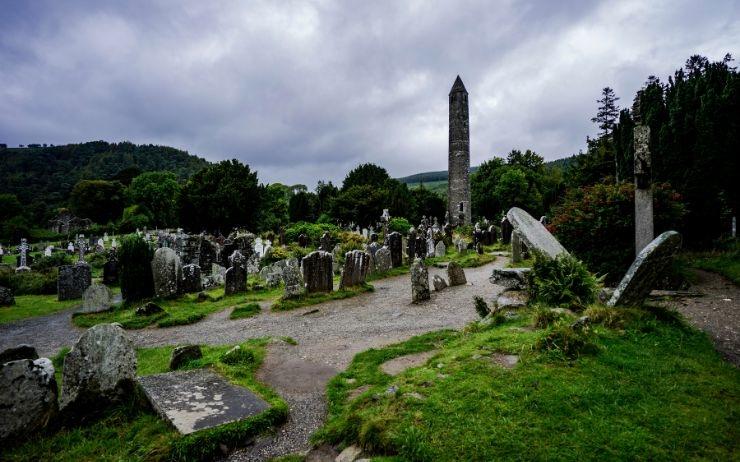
183, 310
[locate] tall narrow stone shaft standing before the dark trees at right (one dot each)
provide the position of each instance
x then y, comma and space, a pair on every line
644, 229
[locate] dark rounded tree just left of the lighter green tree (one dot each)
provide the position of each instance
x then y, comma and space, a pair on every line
99, 200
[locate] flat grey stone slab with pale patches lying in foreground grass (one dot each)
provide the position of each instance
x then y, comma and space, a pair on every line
199, 399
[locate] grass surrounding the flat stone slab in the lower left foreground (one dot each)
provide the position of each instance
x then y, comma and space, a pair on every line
131, 431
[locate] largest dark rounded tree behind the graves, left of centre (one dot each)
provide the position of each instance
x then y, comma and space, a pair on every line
220, 197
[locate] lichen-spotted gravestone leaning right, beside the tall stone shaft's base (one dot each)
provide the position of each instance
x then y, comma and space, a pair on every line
651, 262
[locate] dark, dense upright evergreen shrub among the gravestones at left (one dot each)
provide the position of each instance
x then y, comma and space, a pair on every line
134, 258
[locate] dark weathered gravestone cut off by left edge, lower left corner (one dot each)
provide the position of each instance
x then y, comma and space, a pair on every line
28, 399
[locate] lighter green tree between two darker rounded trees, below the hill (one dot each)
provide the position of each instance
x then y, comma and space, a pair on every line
158, 193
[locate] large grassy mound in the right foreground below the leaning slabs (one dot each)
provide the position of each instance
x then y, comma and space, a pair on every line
647, 388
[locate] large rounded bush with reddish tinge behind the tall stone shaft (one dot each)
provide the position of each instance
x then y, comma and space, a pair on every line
596, 223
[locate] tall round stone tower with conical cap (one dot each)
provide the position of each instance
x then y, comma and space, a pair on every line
458, 183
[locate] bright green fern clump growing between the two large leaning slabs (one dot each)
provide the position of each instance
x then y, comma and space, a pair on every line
562, 281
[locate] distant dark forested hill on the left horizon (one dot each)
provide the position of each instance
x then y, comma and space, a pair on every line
47, 174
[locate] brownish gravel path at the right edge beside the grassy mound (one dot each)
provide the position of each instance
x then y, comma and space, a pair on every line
717, 312
